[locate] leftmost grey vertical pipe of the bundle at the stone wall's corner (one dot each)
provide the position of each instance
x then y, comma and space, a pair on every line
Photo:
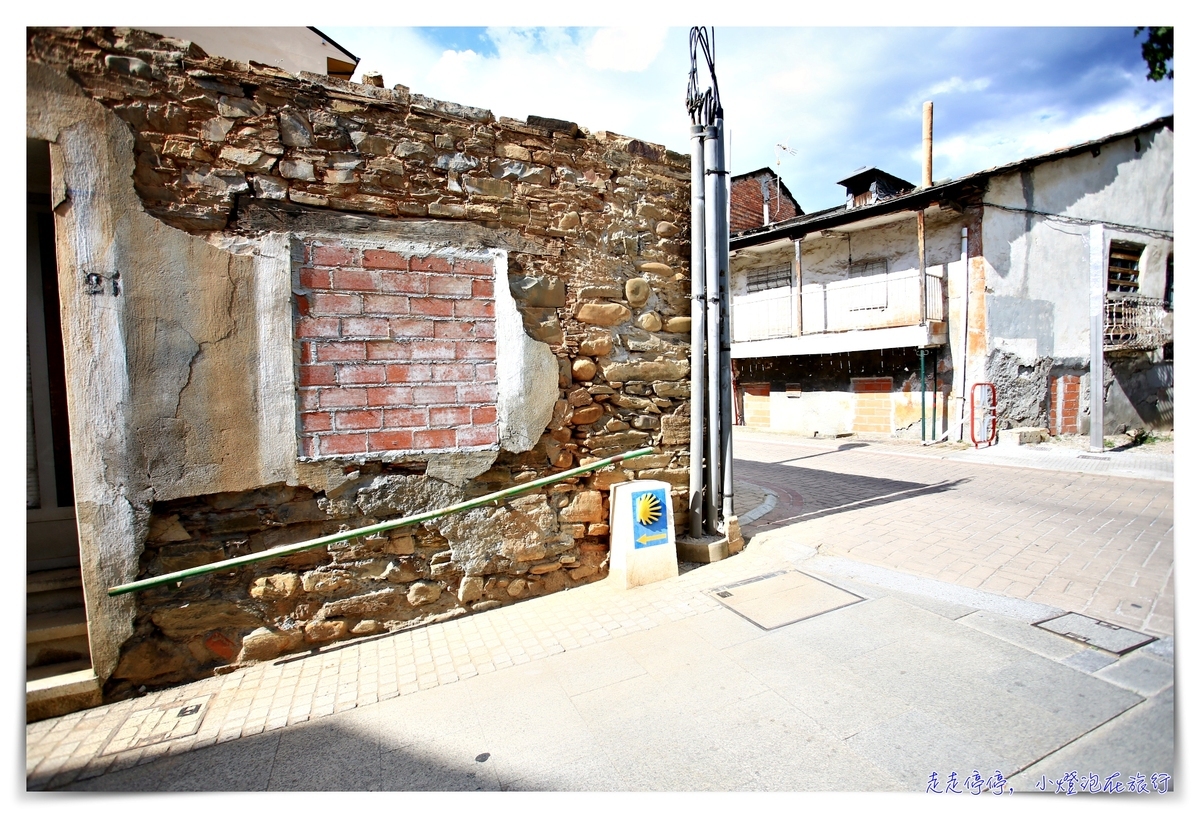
697, 450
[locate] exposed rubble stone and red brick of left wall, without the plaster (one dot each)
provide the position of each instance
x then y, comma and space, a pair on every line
596, 228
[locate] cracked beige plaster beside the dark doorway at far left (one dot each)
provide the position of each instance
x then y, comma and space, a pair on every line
143, 360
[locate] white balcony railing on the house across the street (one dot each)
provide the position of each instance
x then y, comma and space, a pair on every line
867, 303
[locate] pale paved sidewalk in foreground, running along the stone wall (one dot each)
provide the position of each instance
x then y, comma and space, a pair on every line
659, 689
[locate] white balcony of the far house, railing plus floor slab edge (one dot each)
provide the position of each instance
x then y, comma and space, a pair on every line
856, 314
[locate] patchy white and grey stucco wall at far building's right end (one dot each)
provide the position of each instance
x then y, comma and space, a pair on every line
1037, 274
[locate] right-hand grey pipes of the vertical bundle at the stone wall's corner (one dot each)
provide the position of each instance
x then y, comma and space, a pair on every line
713, 340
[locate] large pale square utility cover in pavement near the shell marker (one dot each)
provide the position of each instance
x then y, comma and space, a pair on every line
782, 598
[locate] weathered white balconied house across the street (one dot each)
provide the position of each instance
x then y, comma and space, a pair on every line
831, 328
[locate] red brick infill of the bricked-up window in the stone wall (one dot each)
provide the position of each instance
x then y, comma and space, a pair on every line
397, 352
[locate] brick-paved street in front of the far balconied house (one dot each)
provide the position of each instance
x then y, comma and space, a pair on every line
1096, 544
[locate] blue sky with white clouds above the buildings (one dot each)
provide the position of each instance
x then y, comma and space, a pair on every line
839, 98
